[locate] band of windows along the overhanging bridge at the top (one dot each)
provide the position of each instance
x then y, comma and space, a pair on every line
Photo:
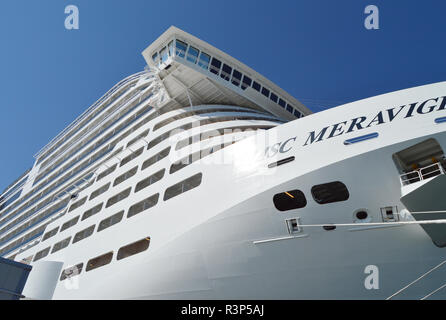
225, 71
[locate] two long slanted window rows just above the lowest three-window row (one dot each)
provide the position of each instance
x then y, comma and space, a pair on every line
172, 191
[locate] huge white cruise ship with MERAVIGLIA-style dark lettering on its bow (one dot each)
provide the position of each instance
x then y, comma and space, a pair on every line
199, 178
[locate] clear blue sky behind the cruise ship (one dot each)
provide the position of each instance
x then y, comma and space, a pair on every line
319, 51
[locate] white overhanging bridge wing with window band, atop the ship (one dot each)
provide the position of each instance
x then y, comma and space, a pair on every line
194, 72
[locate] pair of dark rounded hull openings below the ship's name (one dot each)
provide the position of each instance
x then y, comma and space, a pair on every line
322, 194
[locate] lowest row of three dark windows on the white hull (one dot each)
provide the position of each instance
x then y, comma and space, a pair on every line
102, 260
